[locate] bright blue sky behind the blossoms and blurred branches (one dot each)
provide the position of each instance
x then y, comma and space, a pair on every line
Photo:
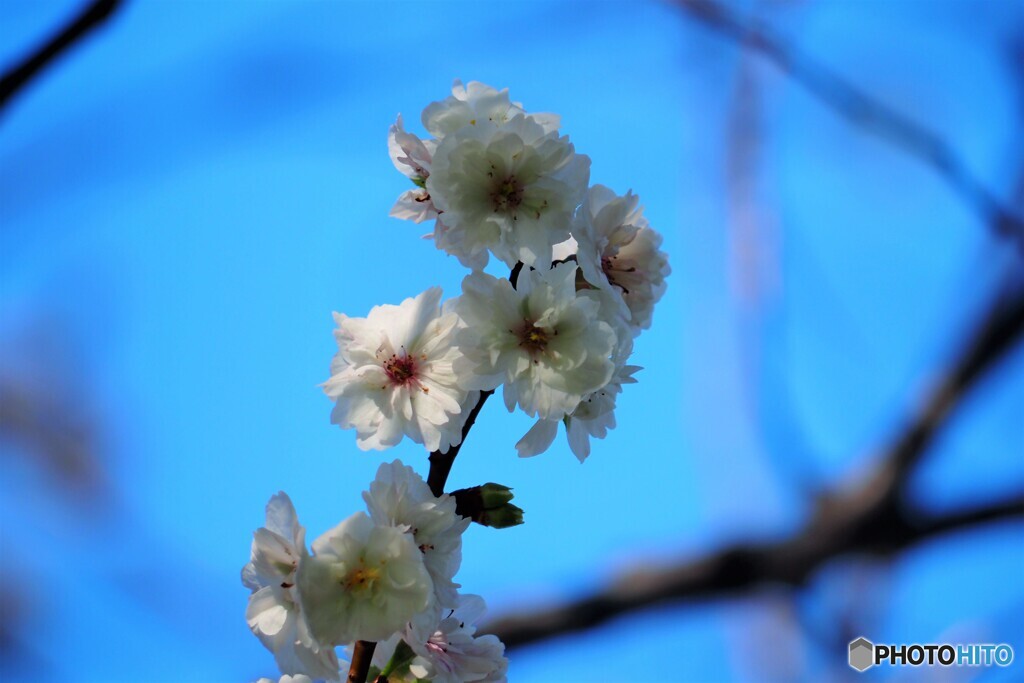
190, 195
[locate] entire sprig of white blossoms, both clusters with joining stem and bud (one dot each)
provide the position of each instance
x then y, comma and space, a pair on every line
557, 335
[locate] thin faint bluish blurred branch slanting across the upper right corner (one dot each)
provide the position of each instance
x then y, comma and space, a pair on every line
864, 110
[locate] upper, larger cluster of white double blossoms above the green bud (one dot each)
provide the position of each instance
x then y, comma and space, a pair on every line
499, 181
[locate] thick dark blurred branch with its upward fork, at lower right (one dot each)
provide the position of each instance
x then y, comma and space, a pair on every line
873, 518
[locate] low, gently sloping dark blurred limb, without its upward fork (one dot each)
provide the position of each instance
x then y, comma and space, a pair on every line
732, 572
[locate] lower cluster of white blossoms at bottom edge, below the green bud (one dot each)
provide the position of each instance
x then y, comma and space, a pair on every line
382, 577
